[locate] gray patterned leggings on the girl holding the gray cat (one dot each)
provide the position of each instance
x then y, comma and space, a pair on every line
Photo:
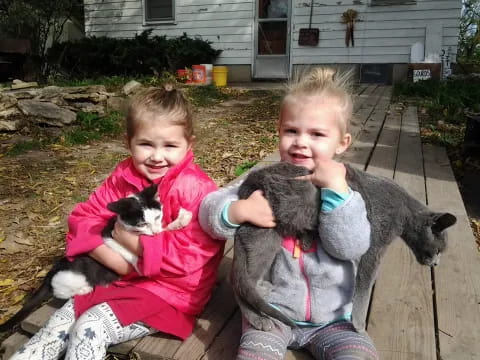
335, 341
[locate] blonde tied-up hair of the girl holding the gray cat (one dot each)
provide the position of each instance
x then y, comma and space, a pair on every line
324, 82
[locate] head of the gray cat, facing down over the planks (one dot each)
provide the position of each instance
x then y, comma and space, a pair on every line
428, 239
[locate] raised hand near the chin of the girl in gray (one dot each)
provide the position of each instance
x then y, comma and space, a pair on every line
328, 173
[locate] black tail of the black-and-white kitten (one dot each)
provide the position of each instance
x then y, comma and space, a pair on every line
43, 293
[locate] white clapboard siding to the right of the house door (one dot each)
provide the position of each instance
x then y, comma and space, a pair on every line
383, 34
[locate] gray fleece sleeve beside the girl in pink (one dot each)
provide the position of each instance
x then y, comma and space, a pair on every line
210, 213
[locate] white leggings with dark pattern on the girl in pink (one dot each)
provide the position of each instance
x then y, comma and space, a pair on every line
87, 338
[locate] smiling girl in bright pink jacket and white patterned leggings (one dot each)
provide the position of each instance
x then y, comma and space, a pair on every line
178, 268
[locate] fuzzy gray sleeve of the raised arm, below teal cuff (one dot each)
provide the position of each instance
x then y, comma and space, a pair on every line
345, 231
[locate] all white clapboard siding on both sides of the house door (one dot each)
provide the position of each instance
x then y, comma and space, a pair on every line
383, 34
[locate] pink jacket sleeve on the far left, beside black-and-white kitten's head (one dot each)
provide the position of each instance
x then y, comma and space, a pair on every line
88, 219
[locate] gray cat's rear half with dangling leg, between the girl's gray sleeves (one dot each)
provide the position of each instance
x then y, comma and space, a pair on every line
255, 248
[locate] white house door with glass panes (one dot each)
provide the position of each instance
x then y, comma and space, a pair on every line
272, 40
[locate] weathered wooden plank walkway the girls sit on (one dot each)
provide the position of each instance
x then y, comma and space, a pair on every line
416, 312
